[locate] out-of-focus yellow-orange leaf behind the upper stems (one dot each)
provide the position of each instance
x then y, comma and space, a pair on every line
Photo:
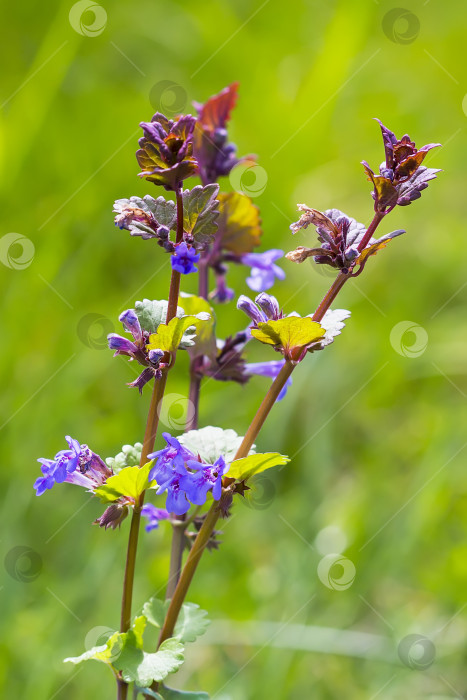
239, 223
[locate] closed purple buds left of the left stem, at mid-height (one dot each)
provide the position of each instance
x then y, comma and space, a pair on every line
136, 349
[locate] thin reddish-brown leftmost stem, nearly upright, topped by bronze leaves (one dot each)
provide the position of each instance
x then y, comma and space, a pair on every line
152, 424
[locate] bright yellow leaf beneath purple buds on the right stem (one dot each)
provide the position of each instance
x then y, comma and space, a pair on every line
288, 333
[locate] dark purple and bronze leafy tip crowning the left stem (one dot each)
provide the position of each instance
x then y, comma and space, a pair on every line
166, 150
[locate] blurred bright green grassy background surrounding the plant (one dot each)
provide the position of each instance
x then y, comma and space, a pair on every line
376, 423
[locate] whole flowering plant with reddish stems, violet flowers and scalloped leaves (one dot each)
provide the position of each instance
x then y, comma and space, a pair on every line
197, 476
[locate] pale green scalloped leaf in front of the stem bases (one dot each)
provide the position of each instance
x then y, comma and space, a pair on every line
143, 668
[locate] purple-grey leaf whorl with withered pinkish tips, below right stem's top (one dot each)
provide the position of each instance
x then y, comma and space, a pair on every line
340, 237
